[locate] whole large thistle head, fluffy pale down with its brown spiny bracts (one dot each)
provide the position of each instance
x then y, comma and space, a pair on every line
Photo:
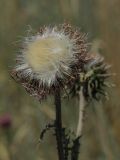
51, 58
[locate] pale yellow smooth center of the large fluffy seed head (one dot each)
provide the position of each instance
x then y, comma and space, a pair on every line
45, 53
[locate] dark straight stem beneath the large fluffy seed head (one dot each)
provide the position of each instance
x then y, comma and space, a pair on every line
58, 125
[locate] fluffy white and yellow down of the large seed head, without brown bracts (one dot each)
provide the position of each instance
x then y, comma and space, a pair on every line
46, 57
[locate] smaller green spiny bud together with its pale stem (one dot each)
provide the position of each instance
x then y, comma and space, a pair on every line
91, 85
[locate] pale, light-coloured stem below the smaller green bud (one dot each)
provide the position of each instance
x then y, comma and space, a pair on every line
81, 112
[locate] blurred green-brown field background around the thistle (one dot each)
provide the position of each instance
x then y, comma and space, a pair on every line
21, 116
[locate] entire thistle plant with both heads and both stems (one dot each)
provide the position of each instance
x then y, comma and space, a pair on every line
56, 61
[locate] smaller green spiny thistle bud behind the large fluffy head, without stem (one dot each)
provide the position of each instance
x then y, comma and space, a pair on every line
93, 79
